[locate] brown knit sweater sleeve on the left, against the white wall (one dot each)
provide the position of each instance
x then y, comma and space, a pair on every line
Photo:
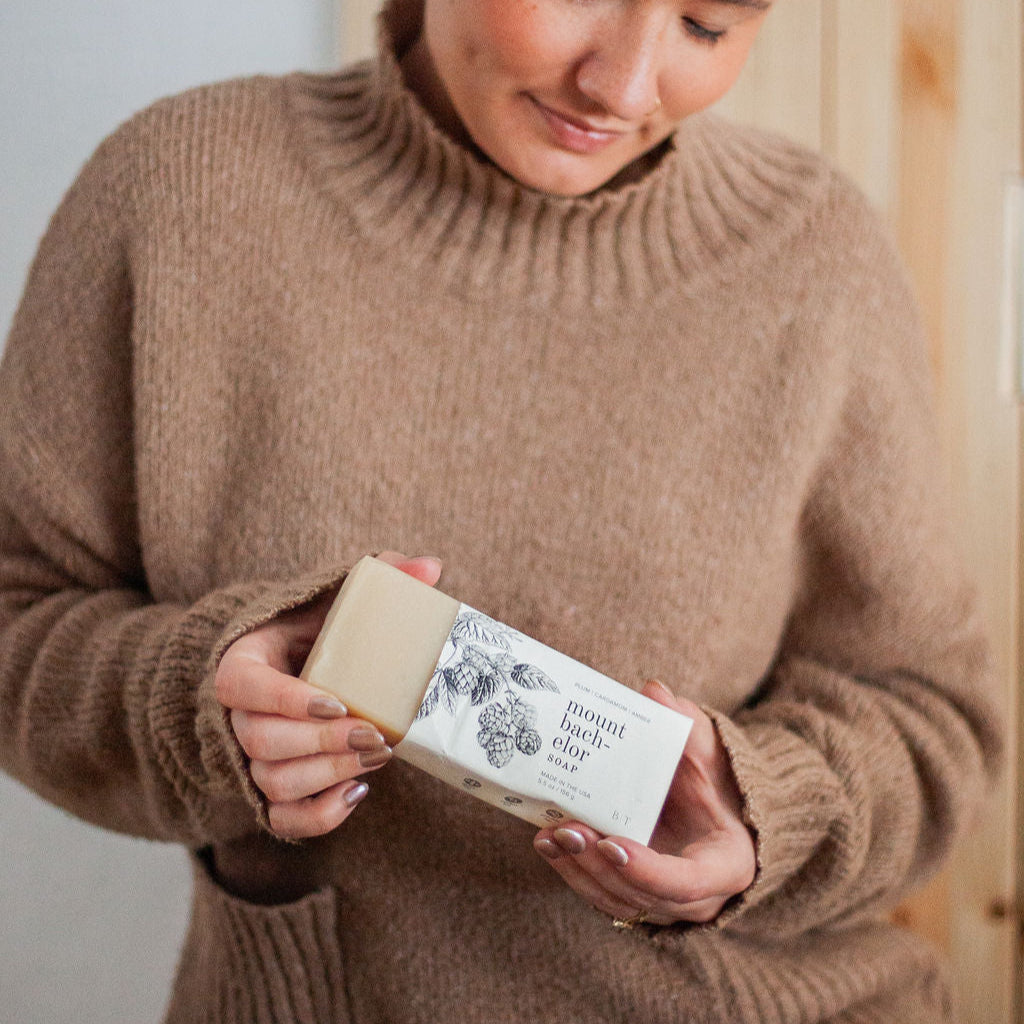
107, 704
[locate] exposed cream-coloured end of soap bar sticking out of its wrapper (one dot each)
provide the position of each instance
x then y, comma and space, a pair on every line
380, 645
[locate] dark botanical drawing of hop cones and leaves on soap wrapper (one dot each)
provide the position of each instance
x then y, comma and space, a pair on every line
479, 664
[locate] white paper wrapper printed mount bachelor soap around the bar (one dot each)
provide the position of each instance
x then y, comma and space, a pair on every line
541, 736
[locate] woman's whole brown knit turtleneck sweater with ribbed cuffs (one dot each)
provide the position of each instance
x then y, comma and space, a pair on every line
678, 430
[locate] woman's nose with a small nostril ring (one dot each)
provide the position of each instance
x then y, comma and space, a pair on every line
621, 70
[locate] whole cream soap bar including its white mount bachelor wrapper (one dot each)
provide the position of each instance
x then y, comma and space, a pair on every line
493, 712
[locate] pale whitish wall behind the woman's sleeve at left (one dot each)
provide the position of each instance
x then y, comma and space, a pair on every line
91, 923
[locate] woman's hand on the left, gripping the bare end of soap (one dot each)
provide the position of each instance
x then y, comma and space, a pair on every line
306, 751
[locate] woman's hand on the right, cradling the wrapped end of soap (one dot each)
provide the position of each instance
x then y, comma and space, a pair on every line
701, 856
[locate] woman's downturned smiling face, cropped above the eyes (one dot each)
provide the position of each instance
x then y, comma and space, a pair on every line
565, 95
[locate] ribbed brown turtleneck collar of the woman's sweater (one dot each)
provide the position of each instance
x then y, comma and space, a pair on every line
719, 195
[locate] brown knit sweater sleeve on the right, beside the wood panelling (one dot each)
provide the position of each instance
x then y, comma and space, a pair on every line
866, 753
